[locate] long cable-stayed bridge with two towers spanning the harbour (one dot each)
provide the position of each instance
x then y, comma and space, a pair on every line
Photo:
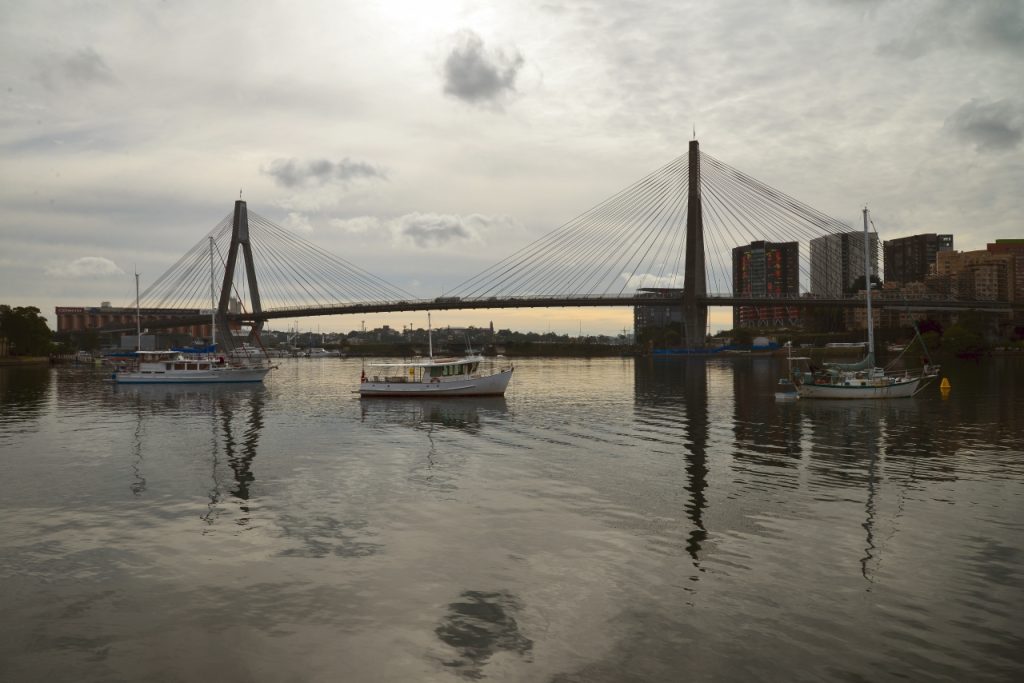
672, 232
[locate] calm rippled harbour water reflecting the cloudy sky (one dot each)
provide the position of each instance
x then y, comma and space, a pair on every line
608, 521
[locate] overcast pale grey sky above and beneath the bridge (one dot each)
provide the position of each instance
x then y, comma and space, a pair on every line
426, 141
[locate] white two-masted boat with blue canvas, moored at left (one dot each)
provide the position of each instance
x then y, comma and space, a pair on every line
176, 367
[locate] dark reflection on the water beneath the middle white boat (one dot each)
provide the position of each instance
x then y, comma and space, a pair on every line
461, 414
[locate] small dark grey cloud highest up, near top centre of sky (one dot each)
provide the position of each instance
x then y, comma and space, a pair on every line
480, 76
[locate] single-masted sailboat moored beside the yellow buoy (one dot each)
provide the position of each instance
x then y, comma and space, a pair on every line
863, 379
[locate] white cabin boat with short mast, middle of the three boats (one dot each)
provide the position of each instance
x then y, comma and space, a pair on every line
435, 377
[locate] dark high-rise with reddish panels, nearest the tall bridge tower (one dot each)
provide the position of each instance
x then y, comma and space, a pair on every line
766, 270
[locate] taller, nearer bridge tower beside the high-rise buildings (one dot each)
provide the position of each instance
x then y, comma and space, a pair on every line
695, 283
